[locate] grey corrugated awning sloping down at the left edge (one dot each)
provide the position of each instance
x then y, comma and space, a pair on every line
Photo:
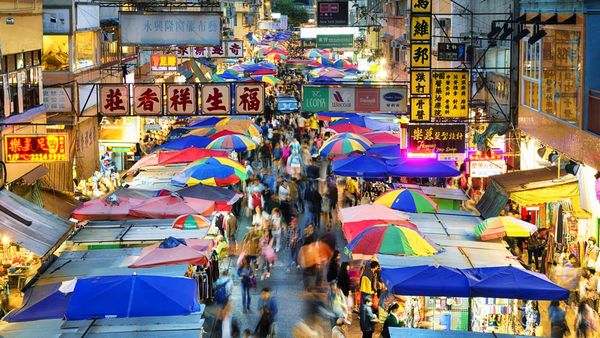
29, 225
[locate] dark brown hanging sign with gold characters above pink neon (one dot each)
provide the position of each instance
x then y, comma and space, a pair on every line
435, 138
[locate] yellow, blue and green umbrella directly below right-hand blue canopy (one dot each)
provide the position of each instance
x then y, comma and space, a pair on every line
408, 201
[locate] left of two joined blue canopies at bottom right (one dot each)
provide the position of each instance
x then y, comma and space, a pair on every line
426, 280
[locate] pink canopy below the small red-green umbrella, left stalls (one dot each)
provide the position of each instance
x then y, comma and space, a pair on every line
195, 251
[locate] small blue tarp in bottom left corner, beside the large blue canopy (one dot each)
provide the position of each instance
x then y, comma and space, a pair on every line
41, 302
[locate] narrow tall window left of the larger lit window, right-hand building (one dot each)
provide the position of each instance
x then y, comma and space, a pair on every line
531, 74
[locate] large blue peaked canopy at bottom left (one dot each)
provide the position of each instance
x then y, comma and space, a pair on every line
132, 296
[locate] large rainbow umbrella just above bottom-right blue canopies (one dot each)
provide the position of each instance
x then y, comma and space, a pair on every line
392, 239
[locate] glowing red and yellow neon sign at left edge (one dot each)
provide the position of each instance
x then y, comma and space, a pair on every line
36, 148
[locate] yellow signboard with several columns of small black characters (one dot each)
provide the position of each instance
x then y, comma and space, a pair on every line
450, 93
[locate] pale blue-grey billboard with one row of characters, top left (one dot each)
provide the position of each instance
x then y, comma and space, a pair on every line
170, 28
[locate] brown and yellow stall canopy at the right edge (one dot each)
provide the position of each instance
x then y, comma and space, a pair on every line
529, 187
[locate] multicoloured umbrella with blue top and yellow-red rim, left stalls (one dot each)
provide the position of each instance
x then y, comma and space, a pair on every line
215, 171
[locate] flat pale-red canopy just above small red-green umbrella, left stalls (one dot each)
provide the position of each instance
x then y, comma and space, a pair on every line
172, 206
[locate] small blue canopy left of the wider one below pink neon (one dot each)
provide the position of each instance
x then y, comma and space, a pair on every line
360, 166
